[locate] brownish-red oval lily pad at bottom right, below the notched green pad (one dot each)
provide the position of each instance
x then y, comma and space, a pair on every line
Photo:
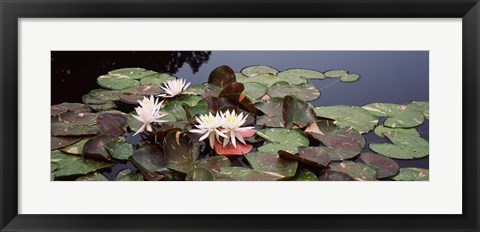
384, 166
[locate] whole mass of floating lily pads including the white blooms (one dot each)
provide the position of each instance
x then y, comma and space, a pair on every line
255, 125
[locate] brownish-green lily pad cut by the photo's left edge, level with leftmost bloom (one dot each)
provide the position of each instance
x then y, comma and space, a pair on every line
75, 124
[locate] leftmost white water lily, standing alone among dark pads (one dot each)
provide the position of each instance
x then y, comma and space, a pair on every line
148, 113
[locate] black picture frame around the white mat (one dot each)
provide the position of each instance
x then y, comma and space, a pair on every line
12, 10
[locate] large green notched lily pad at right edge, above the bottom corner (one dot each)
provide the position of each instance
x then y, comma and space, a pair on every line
405, 146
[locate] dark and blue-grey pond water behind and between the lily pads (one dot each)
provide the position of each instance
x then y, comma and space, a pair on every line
386, 76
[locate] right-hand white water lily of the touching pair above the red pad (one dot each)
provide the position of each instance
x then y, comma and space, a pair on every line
232, 127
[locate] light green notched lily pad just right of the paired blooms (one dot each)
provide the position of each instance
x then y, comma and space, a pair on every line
282, 139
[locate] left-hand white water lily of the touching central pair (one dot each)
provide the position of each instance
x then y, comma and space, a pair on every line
208, 126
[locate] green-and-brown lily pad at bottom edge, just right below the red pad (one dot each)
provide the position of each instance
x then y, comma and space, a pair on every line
271, 163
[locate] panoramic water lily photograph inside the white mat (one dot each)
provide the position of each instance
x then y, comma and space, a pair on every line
239, 116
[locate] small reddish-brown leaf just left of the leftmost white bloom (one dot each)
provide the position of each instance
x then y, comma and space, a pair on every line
112, 124
